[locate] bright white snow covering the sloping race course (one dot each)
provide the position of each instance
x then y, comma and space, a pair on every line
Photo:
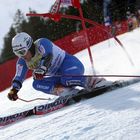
111, 116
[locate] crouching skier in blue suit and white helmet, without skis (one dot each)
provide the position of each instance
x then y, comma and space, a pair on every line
45, 58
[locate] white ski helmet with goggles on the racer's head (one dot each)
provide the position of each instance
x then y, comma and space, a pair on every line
21, 43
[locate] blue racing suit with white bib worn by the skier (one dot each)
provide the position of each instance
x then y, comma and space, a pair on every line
59, 72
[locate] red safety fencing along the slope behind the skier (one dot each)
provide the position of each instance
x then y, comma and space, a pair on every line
72, 43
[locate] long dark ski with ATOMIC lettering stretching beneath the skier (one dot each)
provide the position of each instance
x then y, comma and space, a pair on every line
63, 101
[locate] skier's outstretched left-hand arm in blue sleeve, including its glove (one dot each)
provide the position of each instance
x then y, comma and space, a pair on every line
21, 70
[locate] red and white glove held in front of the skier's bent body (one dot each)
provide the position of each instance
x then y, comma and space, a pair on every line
39, 73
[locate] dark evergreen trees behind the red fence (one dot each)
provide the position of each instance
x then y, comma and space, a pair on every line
39, 27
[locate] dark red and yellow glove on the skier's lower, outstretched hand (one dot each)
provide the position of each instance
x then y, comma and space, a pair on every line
12, 95
